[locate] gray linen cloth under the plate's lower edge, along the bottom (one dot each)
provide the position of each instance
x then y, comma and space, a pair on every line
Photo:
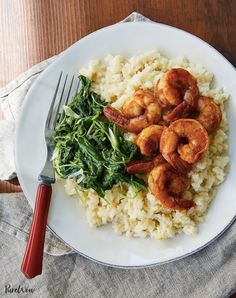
207, 274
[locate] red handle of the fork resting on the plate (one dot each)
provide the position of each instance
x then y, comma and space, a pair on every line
33, 258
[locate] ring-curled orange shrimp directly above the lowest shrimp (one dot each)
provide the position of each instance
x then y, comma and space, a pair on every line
183, 143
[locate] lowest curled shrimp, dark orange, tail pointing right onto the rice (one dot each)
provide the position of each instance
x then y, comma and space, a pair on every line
167, 185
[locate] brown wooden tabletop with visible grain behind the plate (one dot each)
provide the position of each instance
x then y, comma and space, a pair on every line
33, 30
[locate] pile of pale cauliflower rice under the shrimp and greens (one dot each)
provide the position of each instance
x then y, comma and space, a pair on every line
140, 214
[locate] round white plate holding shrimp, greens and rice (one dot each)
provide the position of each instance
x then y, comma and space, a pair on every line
66, 219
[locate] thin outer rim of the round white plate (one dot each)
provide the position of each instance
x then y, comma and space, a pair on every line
27, 97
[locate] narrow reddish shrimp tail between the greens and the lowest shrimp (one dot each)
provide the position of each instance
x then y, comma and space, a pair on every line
144, 166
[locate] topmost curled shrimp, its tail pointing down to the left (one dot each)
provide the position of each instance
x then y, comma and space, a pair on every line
177, 87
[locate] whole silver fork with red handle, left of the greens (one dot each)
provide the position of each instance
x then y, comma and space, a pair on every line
33, 257
